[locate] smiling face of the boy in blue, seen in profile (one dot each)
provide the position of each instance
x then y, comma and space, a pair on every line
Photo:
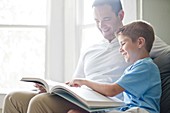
128, 49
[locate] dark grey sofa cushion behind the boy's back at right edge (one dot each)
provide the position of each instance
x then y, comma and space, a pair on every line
163, 62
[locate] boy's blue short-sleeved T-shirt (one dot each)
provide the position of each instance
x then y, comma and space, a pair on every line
142, 85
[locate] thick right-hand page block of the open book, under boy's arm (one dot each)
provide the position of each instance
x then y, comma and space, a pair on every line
87, 96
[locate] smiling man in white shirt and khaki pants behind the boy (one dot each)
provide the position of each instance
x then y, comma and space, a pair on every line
101, 62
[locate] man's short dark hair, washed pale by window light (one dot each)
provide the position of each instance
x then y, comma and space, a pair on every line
115, 4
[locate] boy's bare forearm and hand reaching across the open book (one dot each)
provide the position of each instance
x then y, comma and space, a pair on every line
105, 89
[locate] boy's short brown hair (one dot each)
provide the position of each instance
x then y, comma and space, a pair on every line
138, 29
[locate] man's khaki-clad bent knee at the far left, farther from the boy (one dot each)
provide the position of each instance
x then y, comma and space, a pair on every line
17, 102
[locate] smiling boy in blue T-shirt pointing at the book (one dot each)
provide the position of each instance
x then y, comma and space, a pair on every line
140, 82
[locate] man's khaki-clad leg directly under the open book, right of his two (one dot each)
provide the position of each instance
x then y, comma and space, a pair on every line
48, 103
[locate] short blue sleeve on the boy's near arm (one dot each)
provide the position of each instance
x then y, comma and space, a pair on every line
135, 80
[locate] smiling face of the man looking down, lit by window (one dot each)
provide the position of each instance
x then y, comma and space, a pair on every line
107, 21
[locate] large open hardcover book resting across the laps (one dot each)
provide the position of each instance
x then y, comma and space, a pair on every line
84, 97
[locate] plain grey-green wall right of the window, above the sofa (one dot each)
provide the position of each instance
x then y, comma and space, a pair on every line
157, 12
